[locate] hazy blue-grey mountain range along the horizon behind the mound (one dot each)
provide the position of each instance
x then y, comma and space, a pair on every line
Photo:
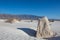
23, 17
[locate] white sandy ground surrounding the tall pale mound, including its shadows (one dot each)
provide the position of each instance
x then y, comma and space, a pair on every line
25, 30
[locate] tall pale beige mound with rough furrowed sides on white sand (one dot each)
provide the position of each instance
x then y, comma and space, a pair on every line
44, 30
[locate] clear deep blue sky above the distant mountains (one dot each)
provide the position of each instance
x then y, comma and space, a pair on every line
49, 8
